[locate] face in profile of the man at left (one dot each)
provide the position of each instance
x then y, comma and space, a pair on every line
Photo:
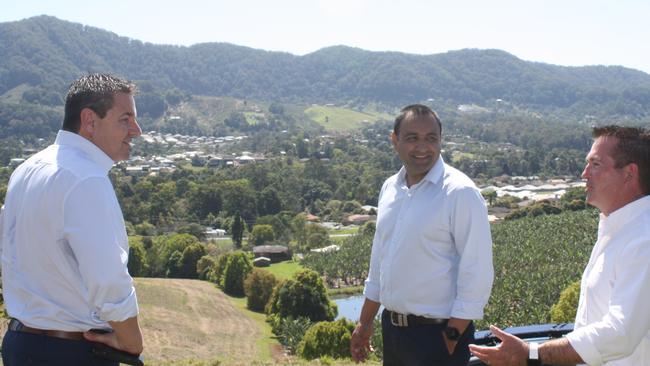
114, 132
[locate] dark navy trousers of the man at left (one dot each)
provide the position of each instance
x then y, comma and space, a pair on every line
23, 349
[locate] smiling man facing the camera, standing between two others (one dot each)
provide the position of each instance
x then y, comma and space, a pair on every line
431, 261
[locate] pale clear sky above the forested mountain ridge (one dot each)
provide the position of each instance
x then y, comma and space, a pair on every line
561, 32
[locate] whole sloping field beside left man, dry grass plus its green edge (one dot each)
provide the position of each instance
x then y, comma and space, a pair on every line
190, 322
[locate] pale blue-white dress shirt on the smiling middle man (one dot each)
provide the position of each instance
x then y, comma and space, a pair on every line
432, 250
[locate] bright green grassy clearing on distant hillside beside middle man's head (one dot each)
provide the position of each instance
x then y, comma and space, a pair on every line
342, 119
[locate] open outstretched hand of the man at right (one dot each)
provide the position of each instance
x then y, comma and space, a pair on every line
512, 351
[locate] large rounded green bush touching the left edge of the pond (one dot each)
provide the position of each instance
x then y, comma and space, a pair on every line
302, 295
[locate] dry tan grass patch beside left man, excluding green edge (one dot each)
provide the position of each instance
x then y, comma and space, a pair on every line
192, 320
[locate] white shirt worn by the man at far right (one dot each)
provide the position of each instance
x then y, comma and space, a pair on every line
612, 324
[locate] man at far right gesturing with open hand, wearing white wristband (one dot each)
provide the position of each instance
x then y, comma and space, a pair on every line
612, 324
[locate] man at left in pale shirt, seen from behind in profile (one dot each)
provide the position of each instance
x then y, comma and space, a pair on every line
64, 244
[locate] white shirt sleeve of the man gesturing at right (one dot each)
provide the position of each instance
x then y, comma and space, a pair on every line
627, 321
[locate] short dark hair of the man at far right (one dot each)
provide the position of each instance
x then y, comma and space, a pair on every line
632, 147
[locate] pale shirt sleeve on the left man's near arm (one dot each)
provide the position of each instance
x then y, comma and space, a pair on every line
94, 229
